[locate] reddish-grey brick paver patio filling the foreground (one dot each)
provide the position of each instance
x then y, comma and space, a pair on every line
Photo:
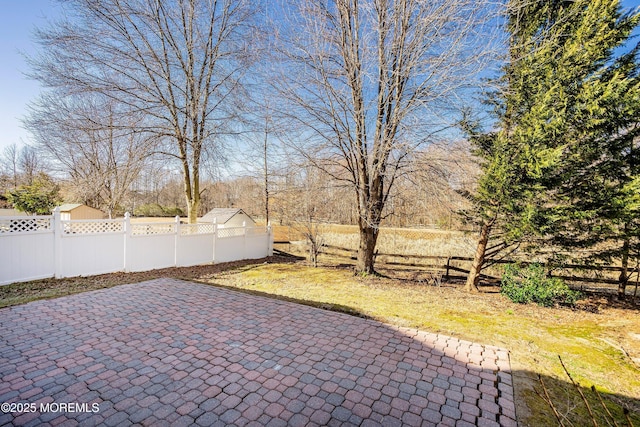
169, 352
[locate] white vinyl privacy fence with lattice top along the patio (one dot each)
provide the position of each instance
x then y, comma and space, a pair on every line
38, 247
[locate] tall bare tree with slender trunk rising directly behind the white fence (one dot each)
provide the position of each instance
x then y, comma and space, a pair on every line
175, 62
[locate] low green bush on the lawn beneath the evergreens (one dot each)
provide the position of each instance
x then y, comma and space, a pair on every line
532, 284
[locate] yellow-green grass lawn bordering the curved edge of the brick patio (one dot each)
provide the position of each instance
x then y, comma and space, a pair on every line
598, 343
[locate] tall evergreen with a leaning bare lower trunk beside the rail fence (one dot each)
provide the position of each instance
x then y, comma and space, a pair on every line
566, 106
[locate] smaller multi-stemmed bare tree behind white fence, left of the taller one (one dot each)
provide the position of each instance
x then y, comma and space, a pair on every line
91, 142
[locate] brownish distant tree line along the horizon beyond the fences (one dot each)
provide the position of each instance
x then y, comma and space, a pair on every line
297, 192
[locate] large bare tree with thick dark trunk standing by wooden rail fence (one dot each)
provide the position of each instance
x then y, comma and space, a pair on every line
369, 81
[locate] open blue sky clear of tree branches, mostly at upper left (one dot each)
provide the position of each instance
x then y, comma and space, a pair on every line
17, 21
